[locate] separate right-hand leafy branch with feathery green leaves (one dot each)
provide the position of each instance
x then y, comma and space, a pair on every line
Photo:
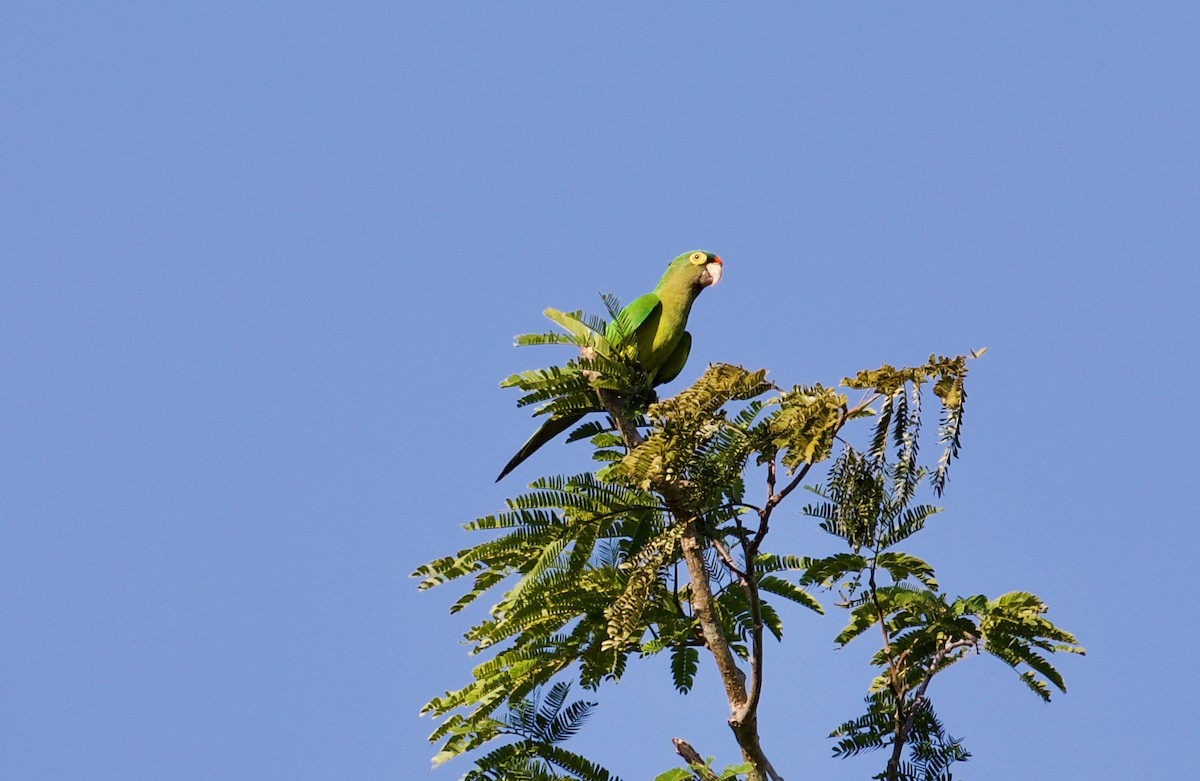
867, 504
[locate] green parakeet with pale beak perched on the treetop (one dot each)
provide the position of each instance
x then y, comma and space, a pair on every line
657, 325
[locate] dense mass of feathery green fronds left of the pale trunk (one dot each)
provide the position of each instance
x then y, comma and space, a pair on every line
584, 562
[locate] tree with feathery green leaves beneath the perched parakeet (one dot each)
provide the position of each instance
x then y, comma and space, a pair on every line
663, 550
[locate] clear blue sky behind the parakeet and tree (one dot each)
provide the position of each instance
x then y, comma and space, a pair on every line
262, 269
